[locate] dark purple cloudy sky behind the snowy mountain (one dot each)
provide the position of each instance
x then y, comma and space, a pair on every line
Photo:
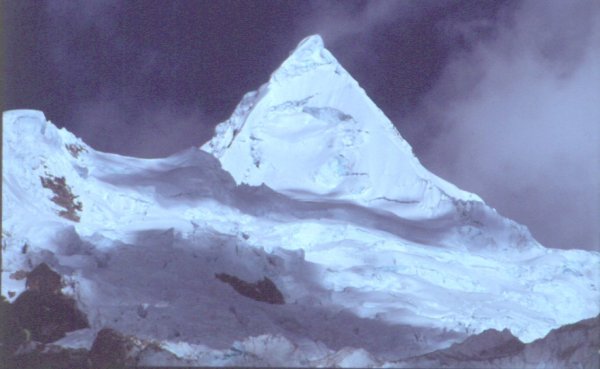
498, 97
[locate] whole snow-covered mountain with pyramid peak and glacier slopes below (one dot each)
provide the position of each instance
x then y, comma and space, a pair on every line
309, 189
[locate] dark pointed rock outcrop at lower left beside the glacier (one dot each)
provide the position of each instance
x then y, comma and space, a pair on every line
43, 310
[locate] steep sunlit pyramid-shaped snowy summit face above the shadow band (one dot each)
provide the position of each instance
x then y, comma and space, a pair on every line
312, 130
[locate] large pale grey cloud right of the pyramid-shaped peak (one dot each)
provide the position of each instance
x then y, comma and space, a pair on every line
515, 118
